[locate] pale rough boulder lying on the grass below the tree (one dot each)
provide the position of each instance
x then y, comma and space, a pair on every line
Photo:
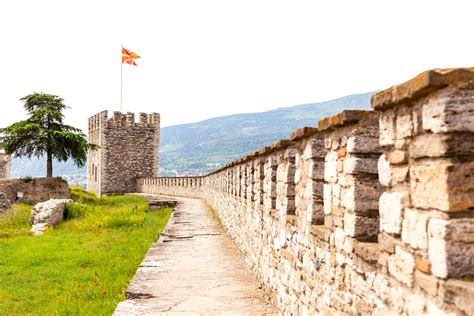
45, 214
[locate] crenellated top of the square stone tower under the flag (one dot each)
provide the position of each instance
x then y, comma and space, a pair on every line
124, 120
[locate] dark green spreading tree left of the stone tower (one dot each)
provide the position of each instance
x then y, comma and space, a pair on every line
45, 134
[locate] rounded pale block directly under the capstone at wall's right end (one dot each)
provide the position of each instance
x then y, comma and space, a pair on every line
451, 110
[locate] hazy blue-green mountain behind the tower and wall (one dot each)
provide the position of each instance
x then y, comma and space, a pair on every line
198, 148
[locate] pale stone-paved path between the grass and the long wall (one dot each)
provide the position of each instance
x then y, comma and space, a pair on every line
195, 268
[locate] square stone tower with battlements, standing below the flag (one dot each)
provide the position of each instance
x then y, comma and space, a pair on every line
128, 150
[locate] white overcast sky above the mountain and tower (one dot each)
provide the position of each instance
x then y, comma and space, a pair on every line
202, 59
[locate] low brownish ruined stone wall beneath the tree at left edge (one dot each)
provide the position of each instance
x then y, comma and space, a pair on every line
35, 190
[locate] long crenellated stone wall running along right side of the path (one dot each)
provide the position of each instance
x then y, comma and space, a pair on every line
373, 211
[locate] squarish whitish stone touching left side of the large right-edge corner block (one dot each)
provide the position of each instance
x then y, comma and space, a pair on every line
415, 229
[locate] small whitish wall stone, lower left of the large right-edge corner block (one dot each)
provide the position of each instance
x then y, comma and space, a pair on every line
402, 266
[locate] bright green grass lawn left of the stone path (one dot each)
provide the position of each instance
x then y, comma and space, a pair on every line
82, 266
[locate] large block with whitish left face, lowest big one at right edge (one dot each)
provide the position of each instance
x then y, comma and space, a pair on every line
451, 247
